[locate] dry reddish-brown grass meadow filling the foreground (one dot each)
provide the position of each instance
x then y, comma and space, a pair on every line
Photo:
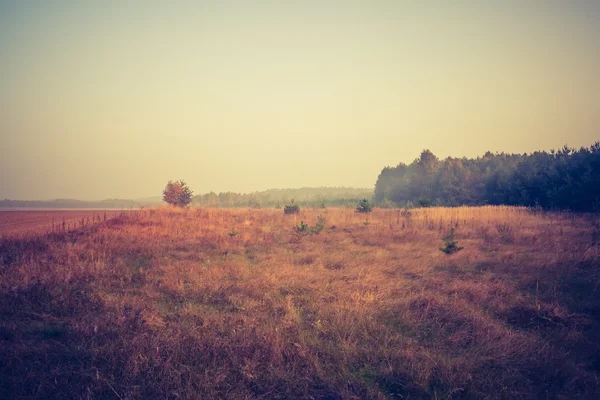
207, 303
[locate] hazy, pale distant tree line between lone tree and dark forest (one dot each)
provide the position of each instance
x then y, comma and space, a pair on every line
306, 197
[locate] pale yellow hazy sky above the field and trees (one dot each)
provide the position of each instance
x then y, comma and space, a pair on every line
112, 99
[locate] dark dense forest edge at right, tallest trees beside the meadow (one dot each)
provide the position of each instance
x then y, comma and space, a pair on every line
563, 179
